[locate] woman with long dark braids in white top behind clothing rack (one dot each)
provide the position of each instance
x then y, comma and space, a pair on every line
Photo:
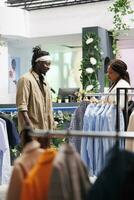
119, 77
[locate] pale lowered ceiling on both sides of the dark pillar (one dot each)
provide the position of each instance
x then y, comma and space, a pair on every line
65, 42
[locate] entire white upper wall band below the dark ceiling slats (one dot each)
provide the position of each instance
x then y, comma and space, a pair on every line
56, 21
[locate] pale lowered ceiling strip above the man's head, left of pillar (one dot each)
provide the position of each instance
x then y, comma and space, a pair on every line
63, 42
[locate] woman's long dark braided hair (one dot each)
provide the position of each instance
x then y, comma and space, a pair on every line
121, 68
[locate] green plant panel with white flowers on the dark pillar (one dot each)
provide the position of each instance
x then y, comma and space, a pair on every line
91, 62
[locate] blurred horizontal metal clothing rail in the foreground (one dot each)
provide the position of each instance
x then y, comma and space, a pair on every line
68, 133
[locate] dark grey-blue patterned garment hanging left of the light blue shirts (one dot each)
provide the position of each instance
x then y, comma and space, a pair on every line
77, 123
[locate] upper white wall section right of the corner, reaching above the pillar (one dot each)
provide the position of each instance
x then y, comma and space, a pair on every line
69, 19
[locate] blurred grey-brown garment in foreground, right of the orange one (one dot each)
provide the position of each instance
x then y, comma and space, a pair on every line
69, 180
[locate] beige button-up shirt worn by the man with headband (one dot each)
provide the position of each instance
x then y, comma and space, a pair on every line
36, 100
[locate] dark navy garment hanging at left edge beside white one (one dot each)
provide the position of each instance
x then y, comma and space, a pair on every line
13, 135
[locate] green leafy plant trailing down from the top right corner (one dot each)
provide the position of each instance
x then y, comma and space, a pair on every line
120, 9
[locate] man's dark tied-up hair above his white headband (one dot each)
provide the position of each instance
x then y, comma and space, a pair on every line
37, 53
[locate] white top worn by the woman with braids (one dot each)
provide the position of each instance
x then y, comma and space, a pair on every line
112, 98
